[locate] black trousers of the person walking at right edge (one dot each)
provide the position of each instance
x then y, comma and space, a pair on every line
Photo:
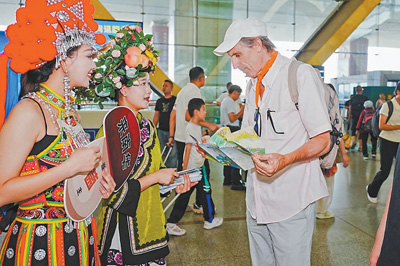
388, 152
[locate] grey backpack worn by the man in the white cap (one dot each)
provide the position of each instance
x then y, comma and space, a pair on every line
332, 106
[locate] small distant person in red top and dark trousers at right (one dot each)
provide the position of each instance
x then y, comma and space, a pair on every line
364, 128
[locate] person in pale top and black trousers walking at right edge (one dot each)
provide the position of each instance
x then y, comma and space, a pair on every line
388, 143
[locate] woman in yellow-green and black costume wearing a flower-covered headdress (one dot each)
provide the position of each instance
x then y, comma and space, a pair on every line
132, 222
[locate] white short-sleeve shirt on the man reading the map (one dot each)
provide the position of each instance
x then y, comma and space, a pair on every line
277, 198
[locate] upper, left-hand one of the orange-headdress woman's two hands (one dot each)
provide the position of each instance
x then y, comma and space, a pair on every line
83, 160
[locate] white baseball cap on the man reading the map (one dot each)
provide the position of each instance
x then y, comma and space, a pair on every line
248, 27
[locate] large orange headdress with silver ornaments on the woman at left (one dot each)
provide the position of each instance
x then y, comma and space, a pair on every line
46, 30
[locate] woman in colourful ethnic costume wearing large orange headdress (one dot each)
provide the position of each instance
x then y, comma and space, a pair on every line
41, 142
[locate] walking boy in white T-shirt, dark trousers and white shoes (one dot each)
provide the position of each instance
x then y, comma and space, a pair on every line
192, 159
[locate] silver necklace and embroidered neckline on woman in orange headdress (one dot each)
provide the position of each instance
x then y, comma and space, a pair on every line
65, 121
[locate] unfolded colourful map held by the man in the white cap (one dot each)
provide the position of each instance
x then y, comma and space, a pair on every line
233, 149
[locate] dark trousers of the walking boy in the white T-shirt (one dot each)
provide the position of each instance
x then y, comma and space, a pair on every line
204, 191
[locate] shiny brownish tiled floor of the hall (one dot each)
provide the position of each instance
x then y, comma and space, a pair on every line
344, 240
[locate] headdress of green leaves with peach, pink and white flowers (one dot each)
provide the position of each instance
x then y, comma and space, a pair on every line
130, 55
